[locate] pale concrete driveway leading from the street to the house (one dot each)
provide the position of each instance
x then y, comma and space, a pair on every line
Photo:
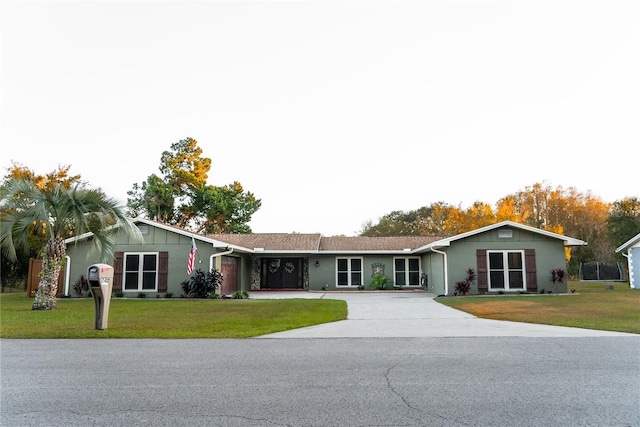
413, 314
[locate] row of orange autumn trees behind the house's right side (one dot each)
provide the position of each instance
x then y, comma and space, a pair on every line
604, 226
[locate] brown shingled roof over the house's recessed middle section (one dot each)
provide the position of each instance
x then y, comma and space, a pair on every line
297, 242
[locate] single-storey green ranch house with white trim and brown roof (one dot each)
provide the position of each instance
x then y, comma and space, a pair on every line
508, 257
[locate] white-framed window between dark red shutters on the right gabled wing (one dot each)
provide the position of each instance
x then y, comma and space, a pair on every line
506, 270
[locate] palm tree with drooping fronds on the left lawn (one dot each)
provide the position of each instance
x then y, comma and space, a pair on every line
62, 211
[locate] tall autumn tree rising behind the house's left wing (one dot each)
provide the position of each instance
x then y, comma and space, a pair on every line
181, 196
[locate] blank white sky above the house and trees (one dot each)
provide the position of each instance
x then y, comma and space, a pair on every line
332, 113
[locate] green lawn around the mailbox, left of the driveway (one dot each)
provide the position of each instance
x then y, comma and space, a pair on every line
165, 318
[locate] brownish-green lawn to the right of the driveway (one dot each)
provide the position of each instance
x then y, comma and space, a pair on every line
592, 308
